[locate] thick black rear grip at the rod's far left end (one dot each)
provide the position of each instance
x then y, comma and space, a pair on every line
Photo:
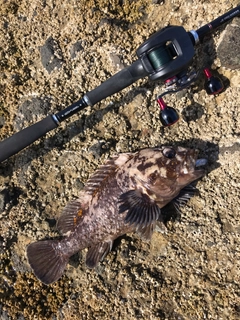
25, 137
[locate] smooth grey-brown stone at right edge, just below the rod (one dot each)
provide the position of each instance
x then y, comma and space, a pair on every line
228, 49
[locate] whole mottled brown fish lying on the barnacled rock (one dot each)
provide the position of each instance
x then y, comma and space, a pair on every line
128, 193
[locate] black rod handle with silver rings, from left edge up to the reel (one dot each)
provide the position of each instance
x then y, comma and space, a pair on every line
114, 84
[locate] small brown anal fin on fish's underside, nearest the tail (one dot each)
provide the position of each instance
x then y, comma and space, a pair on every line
97, 253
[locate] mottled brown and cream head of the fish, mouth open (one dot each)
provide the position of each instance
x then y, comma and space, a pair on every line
162, 172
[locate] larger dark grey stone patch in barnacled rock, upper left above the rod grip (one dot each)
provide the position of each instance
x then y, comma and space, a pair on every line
51, 55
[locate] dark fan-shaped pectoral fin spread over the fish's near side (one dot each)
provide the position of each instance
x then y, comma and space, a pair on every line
141, 210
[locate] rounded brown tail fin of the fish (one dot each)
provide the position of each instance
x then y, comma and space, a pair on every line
47, 260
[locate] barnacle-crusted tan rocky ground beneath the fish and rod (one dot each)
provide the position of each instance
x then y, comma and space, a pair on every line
51, 53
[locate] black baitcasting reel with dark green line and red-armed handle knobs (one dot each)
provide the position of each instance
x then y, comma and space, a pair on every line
166, 56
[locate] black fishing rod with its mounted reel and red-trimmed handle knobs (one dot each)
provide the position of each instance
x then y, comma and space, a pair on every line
166, 56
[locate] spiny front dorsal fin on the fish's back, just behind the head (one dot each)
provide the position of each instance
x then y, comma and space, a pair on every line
101, 177
